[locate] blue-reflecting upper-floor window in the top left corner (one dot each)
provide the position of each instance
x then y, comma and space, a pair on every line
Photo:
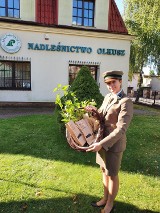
10, 8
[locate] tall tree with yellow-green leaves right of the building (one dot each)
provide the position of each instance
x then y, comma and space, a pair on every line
143, 20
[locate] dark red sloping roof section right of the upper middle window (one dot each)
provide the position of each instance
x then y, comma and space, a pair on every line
115, 21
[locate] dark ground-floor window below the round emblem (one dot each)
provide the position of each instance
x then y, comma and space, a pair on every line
15, 75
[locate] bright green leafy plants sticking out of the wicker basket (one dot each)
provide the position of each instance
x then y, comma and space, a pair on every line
71, 108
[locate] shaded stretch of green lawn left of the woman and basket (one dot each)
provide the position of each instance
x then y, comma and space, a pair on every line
40, 137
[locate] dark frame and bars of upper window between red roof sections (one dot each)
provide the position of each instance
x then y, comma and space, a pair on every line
76, 10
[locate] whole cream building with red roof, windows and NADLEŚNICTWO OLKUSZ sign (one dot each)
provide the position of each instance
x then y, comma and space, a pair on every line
44, 43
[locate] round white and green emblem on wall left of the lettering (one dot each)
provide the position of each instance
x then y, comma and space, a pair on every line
10, 43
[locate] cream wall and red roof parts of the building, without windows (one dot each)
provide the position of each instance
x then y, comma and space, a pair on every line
50, 68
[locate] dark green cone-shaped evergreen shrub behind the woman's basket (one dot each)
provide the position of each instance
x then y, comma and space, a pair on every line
86, 87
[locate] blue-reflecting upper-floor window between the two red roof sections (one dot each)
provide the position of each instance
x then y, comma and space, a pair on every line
83, 12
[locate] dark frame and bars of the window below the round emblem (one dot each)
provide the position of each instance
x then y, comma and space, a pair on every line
15, 80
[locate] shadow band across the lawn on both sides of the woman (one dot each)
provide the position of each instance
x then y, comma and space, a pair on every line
40, 136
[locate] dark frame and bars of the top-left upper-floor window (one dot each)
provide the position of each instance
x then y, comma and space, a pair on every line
7, 8
